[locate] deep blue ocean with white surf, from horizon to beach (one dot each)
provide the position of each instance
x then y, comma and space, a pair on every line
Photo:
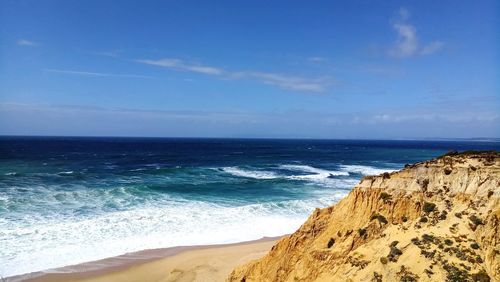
69, 200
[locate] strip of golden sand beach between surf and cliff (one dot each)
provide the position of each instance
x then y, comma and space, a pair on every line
140, 264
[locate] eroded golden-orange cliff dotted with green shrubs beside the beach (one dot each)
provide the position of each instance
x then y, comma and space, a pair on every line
437, 220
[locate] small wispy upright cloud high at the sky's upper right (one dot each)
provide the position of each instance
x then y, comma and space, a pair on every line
407, 44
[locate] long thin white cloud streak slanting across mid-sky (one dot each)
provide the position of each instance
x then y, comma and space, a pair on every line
284, 81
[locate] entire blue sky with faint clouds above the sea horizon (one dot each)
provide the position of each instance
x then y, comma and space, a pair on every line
270, 69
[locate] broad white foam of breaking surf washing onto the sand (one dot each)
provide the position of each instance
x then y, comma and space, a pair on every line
68, 240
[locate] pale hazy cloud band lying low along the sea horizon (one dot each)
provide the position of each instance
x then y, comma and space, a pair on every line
46, 119
